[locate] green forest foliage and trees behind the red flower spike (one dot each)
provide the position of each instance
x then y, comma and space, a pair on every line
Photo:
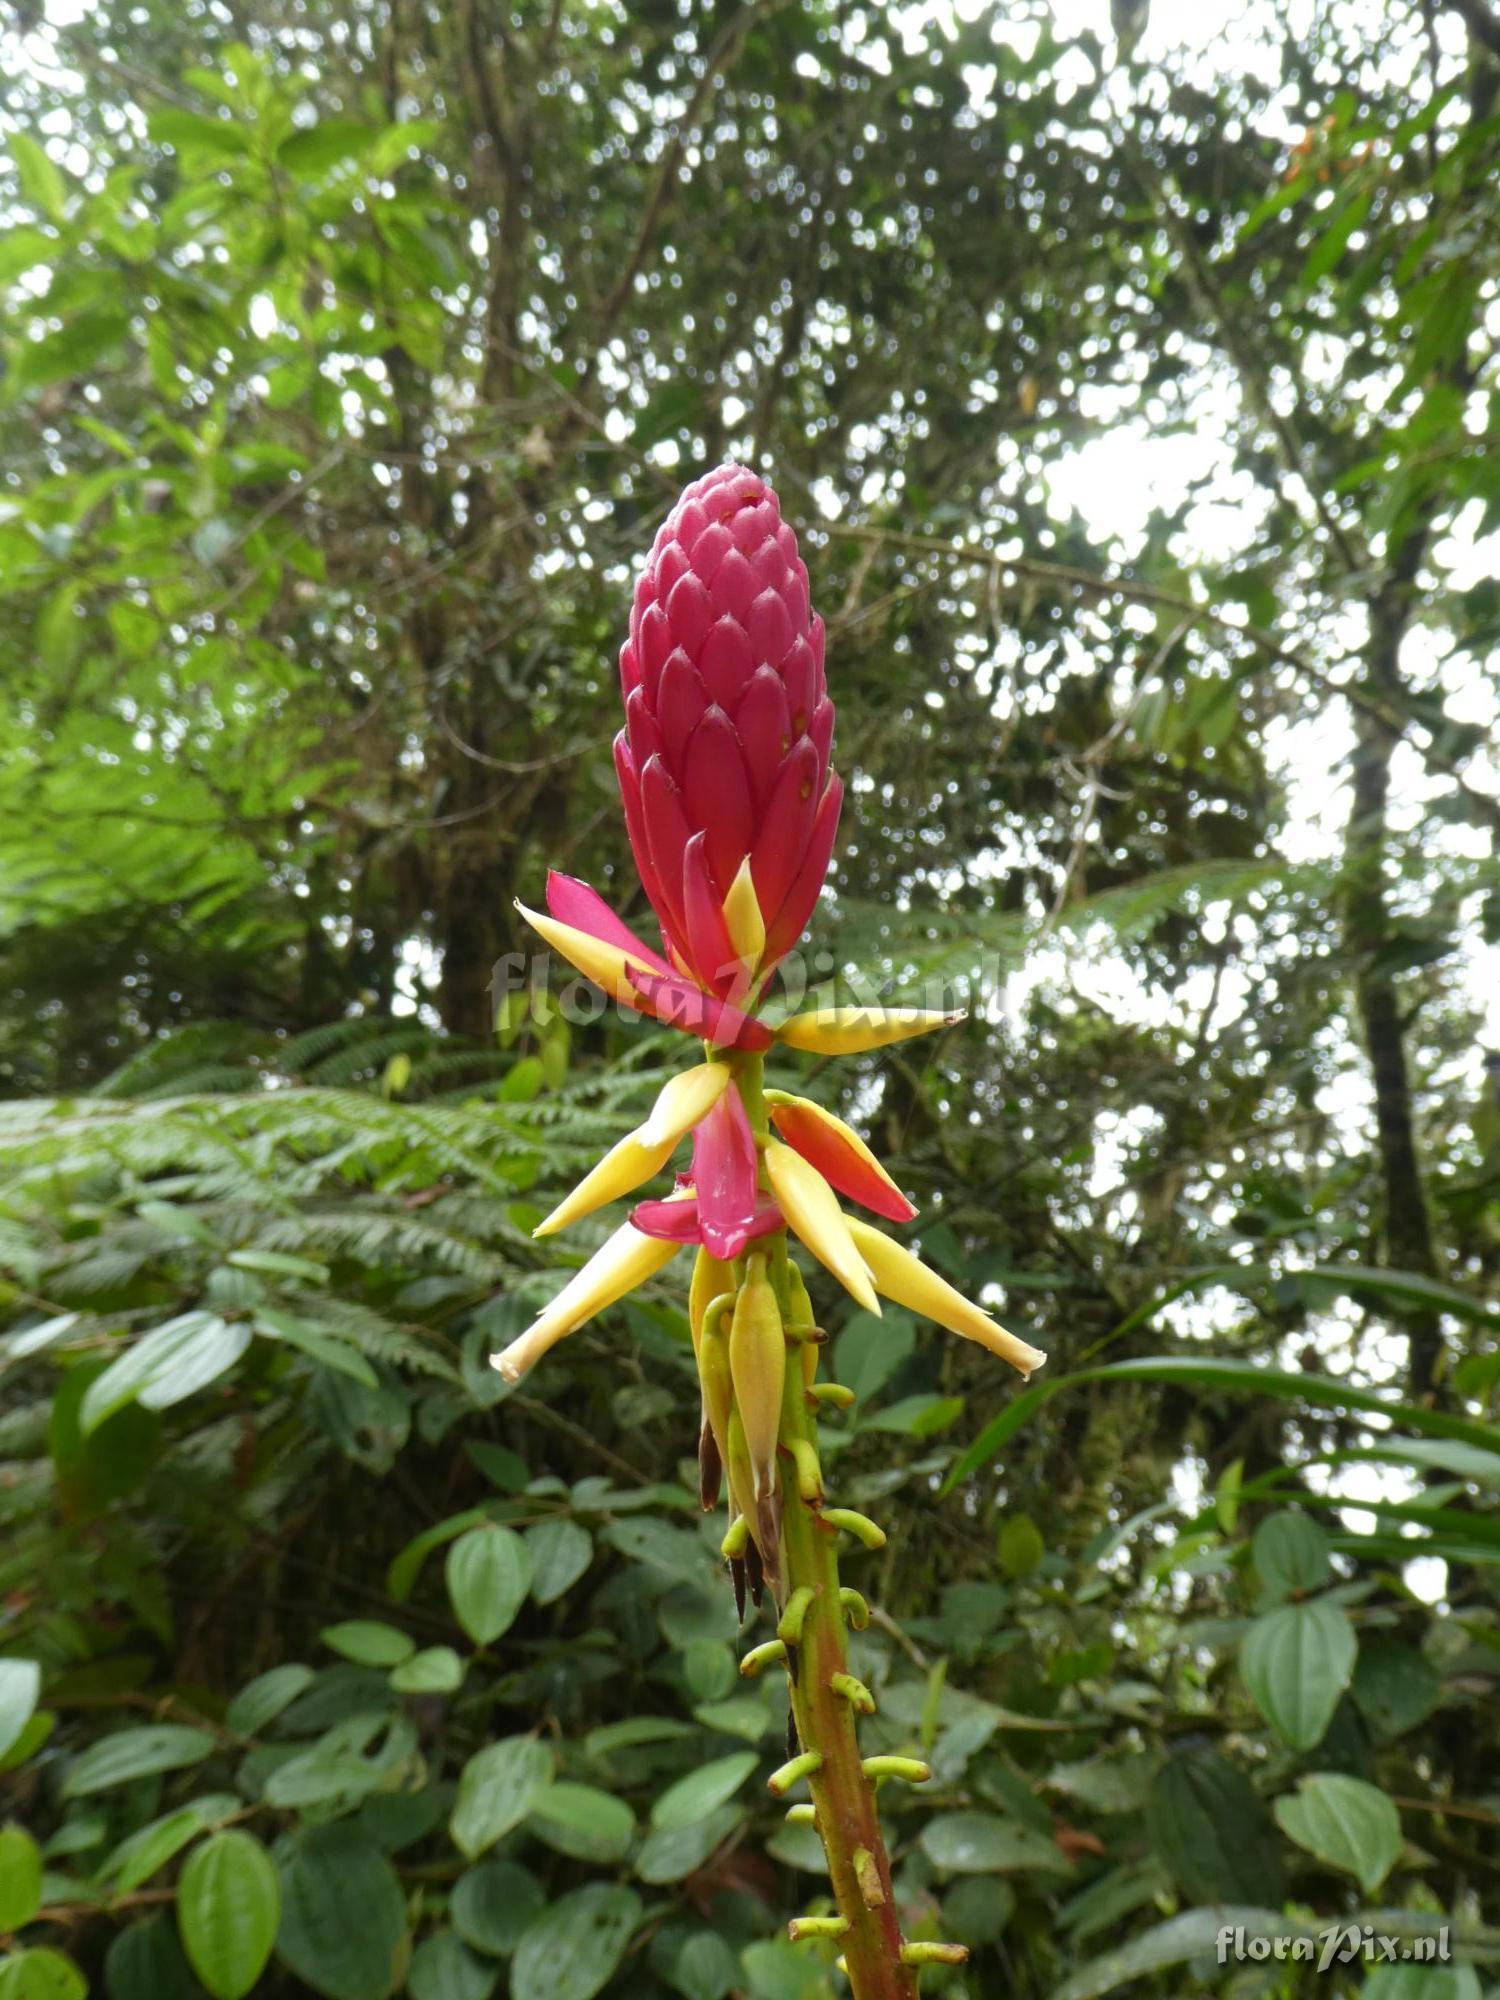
1137, 403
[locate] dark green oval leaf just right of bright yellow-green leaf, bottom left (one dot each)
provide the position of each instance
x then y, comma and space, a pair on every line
343, 1915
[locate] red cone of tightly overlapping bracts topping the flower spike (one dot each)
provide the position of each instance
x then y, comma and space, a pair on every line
729, 731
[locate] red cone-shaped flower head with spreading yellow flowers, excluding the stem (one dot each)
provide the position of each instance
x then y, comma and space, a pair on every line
731, 805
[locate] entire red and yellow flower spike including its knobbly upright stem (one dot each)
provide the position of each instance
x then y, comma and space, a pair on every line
731, 805
